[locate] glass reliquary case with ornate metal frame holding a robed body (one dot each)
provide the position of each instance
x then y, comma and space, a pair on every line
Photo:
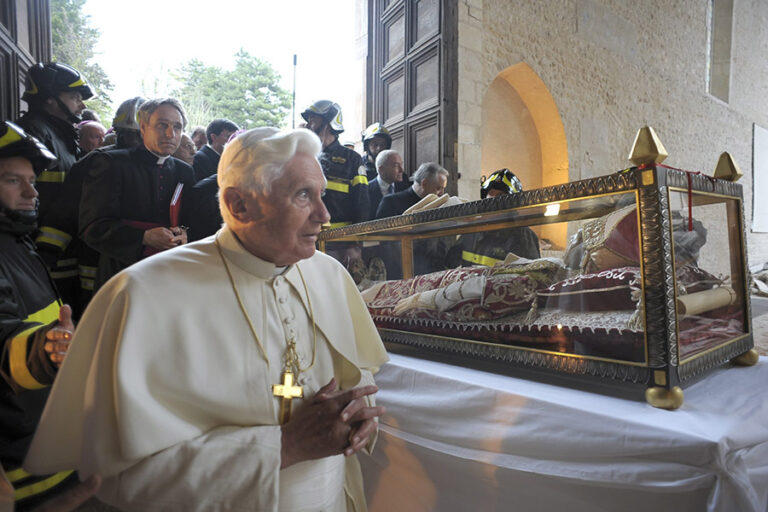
632, 279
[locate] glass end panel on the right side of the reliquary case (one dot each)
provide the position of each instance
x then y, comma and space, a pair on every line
709, 275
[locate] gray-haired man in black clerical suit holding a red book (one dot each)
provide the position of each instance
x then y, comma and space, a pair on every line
131, 198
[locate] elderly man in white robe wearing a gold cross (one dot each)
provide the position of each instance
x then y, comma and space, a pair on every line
231, 373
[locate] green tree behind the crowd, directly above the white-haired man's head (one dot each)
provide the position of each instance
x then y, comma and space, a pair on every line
249, 94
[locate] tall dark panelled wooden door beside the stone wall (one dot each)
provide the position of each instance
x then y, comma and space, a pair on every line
412, 78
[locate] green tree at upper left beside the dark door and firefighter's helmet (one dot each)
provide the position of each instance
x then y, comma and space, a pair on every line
73, 42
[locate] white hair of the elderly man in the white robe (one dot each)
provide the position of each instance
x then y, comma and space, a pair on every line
255, 158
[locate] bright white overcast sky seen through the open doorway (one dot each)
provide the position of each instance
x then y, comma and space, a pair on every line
141, 40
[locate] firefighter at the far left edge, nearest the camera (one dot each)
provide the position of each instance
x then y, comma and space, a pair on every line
35, 328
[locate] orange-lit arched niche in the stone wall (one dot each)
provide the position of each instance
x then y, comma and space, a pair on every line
522, 130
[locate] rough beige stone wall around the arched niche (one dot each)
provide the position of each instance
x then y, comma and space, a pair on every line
612, 66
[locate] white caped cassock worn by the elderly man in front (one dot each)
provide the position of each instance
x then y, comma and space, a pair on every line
166, 393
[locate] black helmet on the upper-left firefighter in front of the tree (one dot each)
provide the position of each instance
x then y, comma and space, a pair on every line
46, 80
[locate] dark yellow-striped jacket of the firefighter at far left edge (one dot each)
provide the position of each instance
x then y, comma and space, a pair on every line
29, 307
